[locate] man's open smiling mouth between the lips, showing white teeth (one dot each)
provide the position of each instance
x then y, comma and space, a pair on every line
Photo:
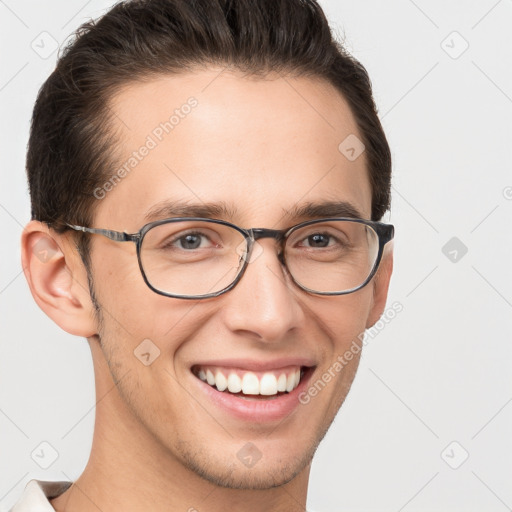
252, 385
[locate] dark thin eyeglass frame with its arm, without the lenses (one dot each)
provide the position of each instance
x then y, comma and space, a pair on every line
385, 233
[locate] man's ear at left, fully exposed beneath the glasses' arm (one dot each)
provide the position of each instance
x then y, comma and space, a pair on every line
57, 278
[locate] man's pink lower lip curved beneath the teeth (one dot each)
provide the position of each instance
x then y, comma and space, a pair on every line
259, 410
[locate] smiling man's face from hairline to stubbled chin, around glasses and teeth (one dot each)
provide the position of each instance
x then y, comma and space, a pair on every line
261, 148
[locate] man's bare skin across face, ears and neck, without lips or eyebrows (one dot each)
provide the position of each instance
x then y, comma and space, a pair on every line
260, 146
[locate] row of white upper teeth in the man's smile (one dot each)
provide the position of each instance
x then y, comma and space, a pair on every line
250, 383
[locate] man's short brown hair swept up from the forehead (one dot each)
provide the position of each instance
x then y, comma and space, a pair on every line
70, 146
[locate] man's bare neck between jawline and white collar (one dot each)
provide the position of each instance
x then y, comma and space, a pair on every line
130, 470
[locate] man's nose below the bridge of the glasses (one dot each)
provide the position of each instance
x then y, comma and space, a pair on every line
265, 304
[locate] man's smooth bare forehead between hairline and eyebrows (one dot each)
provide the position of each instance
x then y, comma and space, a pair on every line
260, 146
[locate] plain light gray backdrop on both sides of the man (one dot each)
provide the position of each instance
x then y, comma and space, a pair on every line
438, 373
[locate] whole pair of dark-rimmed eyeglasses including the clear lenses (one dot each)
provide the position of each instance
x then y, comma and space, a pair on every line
196, 258
